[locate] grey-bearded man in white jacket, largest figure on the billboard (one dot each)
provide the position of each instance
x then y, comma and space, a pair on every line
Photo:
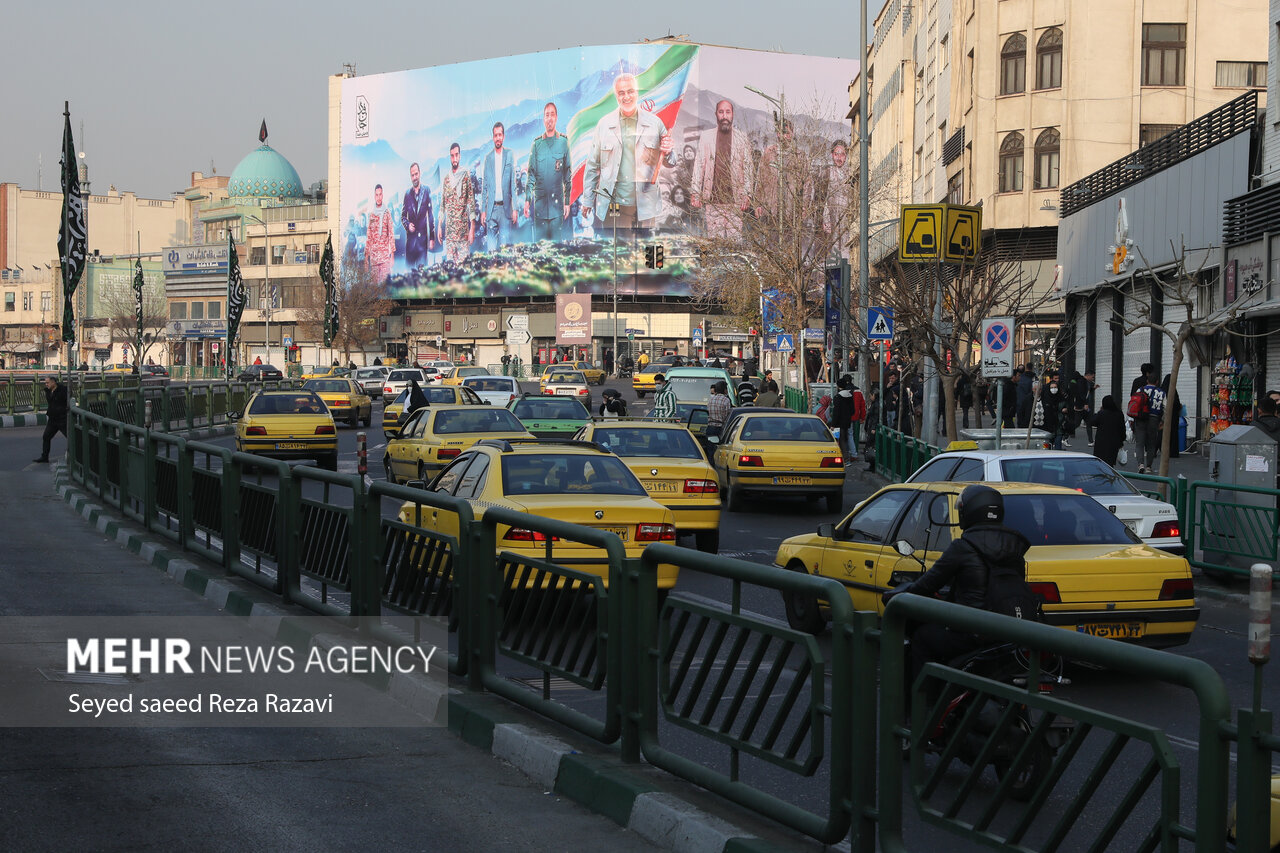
628, 152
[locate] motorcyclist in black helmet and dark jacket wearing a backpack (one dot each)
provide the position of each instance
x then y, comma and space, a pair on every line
986, 568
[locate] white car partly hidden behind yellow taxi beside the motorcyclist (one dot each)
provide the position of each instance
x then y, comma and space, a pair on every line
1154, 522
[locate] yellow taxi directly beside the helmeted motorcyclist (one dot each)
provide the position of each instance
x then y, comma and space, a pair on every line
1094, 573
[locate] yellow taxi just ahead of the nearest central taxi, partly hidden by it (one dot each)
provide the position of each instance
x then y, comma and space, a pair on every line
671, 467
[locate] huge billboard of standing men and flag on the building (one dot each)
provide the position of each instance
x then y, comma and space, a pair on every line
497, 177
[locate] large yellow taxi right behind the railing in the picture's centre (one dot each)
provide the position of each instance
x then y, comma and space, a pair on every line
575, 482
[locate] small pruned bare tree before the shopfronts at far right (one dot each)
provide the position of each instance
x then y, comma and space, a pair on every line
1187, 298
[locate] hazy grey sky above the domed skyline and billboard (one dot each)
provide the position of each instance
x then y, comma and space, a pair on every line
167, 89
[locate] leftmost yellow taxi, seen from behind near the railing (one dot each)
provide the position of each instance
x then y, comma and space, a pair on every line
289, 425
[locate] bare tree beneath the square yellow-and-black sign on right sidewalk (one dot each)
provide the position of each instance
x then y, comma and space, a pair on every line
995, 285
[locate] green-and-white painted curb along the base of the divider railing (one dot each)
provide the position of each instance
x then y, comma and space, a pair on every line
637, 797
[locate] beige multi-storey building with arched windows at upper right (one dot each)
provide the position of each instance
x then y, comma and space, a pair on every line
1040, 95
